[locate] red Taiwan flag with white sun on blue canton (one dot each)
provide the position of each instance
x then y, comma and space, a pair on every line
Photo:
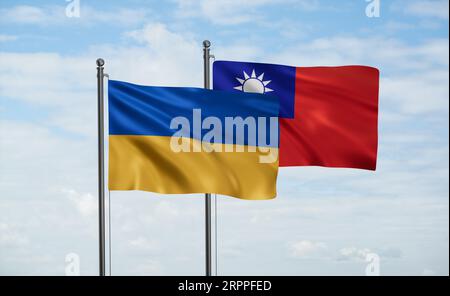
328, 115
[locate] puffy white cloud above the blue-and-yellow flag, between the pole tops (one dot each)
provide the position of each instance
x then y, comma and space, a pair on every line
164, 58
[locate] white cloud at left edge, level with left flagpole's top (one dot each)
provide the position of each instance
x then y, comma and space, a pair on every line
38, 78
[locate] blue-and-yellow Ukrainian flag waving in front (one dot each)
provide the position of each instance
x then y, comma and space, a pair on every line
177, 140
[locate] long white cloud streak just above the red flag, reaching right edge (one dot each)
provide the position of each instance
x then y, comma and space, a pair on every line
394, 56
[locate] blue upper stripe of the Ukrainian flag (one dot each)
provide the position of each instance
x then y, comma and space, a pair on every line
148, 110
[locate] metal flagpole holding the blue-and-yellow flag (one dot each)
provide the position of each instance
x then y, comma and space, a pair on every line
101, 167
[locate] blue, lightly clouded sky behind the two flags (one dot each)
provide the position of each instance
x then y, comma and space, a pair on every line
323, 222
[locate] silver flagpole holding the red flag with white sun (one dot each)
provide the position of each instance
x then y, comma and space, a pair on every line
206, 72
